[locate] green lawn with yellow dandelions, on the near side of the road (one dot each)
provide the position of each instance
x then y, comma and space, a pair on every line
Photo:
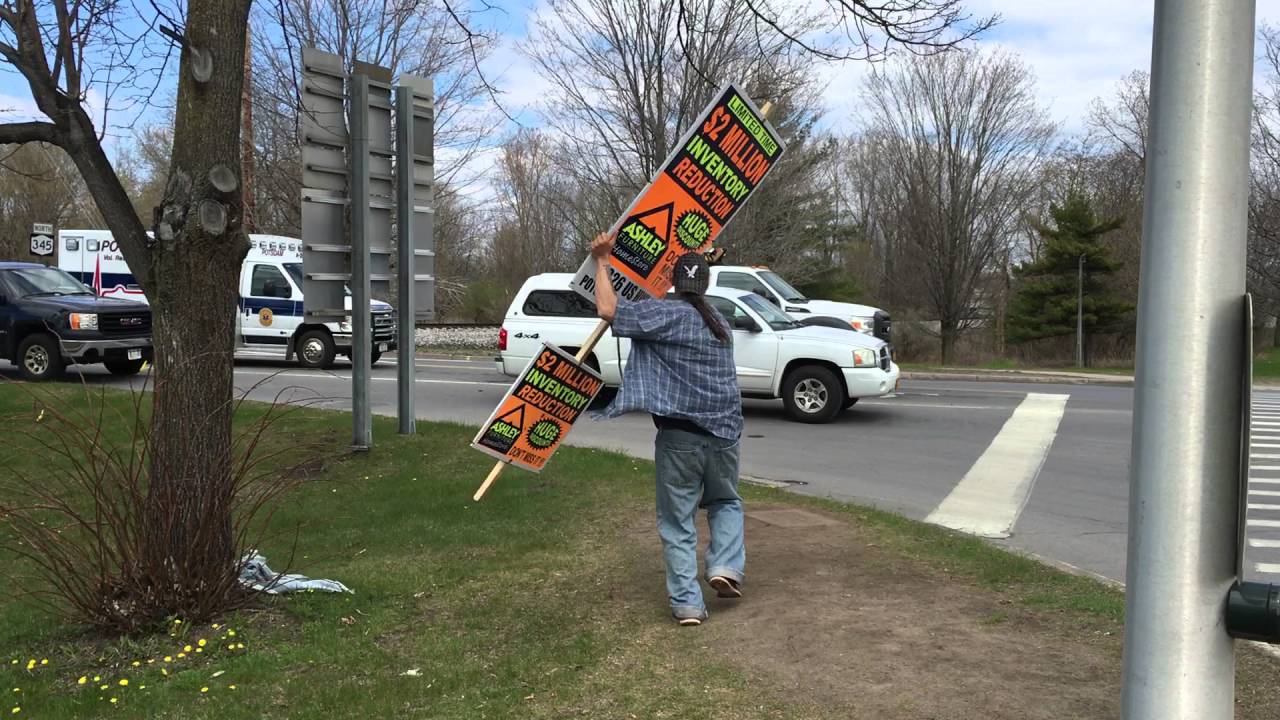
497, 608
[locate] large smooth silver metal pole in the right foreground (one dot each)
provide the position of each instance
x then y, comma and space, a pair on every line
1178, 659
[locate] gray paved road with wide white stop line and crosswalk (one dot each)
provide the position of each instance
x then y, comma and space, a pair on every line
1058, 473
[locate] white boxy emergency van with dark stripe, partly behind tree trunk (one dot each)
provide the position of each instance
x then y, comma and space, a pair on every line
269, 320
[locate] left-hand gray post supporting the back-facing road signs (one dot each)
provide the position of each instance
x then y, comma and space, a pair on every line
362, 335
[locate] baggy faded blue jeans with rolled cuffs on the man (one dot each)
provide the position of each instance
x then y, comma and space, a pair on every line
698, 472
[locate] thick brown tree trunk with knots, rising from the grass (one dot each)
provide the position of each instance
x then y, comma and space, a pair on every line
194, 289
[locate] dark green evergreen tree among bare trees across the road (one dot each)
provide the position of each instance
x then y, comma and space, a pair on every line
1045, 302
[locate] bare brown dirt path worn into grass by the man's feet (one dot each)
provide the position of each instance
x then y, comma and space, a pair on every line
835, 627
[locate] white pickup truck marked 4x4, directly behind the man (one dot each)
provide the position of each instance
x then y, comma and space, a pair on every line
816, 371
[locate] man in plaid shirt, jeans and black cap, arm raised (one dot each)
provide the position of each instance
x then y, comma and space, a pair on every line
682, 371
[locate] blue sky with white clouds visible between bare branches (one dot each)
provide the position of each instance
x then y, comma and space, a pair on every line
1080, 51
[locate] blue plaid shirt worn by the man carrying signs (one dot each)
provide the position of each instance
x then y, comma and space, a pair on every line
678, 368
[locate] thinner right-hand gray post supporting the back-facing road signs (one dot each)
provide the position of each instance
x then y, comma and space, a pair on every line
406, 245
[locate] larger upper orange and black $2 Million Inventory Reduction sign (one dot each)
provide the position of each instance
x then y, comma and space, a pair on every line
702, 185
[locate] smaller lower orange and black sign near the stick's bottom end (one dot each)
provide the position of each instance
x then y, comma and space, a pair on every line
540, 411
